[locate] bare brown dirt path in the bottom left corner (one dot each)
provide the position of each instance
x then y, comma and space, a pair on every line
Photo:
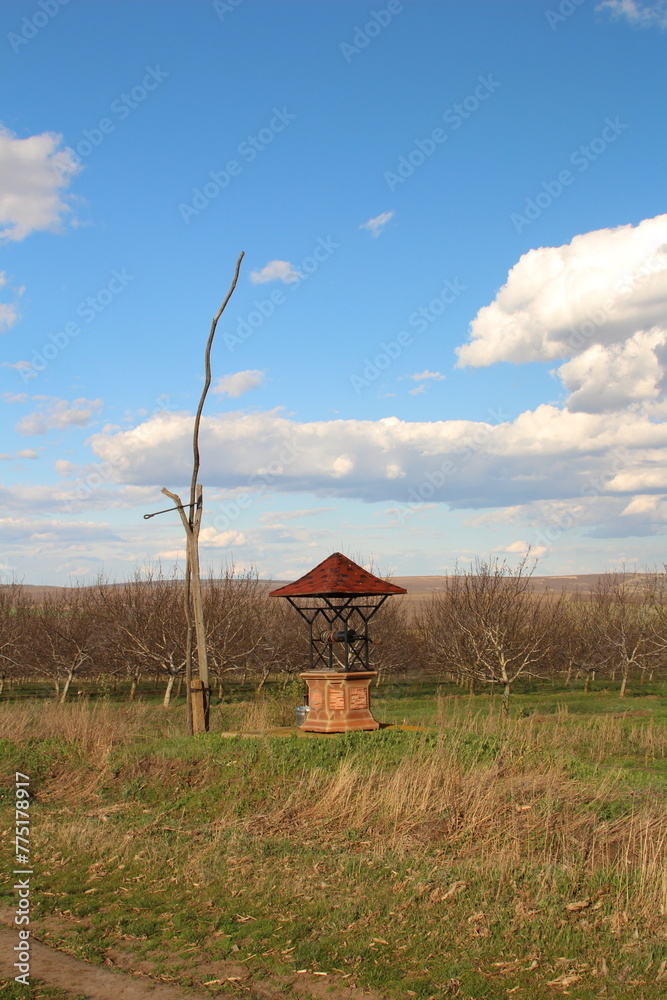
58, 969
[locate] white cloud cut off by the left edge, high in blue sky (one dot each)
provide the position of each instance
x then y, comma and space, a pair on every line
34, 174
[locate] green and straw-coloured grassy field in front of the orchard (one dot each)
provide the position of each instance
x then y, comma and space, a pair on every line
482, 858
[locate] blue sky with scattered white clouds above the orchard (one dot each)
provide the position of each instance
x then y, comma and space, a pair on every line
449, 335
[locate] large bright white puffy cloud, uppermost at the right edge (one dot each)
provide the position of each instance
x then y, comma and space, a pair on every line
600, 288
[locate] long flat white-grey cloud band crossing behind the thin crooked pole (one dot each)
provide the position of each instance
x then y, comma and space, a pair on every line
545, 453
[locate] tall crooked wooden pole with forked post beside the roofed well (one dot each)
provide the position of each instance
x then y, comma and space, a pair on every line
199, 718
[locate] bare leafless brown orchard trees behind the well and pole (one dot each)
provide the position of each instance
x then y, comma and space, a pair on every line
486, 627
